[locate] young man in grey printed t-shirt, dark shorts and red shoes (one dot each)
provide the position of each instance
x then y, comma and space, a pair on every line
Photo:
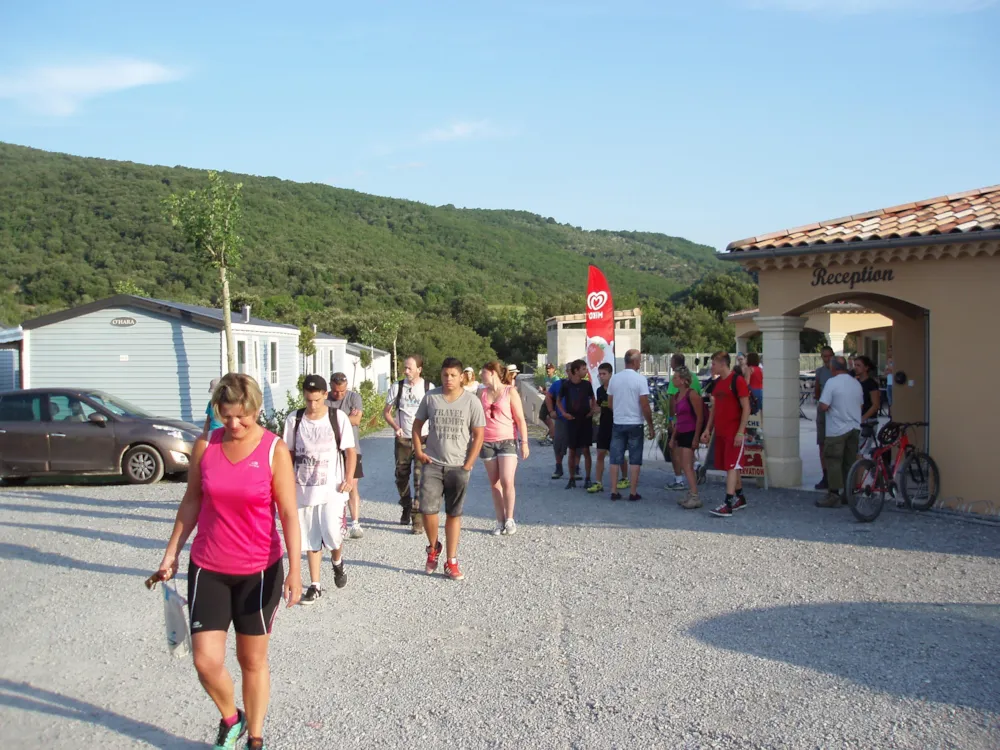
457, 426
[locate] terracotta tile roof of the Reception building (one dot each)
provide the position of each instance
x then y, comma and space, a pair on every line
972, 210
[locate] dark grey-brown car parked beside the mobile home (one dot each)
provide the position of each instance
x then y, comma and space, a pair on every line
66, 431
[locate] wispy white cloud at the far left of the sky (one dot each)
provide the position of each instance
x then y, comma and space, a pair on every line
59, 90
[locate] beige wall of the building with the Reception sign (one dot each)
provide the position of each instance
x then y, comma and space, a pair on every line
960, 294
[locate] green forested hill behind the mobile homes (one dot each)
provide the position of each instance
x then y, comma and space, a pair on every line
72, 228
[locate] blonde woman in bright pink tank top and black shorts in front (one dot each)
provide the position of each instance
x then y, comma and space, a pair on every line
239, 476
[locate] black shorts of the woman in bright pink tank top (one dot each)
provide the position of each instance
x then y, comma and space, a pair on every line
250, 602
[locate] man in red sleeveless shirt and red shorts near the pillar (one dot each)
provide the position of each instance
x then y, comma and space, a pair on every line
728, 417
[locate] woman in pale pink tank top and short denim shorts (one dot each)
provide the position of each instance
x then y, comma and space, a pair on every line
504, 415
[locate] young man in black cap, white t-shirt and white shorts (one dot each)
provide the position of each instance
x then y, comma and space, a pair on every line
324, 478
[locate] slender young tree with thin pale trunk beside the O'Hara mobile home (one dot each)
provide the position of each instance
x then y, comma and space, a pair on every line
209, 220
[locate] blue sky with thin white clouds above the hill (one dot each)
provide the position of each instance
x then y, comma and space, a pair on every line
713, 120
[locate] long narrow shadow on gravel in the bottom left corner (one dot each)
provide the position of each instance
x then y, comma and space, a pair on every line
25, 697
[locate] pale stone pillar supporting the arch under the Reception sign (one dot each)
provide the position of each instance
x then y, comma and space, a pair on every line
781, 398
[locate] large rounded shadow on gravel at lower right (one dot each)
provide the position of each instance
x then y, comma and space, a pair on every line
946, 653
